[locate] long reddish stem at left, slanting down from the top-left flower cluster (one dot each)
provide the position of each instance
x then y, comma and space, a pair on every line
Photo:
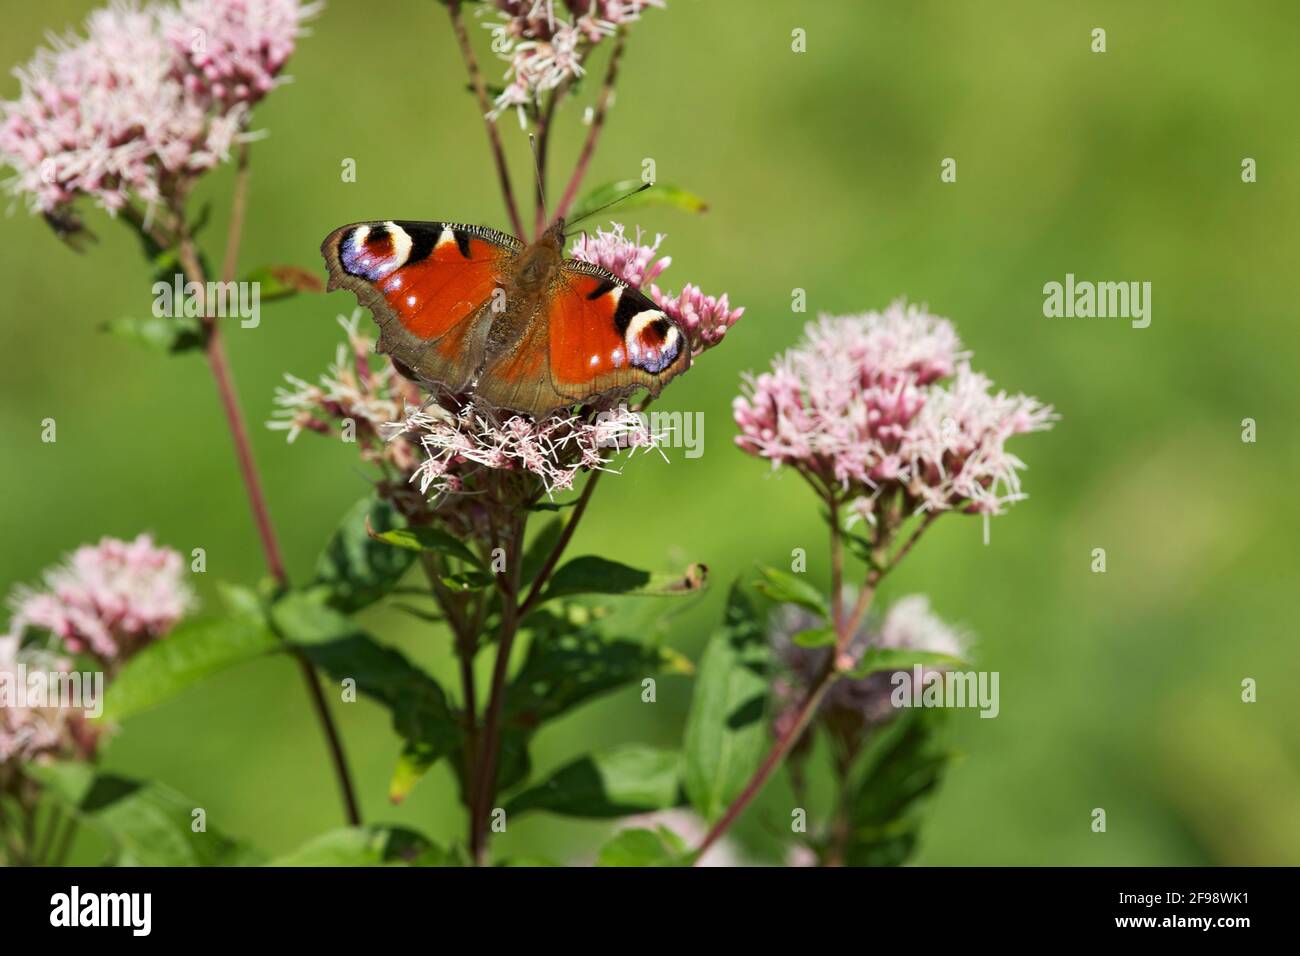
193, 267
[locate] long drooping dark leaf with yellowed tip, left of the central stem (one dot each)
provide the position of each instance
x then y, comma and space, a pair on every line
419, 708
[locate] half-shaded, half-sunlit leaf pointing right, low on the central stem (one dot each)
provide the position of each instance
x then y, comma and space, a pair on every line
614, 784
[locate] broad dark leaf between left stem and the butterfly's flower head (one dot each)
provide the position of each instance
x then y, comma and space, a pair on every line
357, 569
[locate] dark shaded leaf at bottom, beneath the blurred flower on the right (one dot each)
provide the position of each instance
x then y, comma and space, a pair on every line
902, 771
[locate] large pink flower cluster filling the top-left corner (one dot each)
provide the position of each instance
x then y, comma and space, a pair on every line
148, 97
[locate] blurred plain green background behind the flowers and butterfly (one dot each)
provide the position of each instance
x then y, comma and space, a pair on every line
1120, 691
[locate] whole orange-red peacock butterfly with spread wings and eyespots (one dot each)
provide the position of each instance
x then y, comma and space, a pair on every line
518, 327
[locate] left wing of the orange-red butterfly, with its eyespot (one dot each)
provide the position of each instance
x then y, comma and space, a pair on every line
431, 288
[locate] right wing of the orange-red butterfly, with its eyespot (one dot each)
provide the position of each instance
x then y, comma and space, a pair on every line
593, 339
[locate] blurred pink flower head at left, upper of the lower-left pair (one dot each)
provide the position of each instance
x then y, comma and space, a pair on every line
109, 600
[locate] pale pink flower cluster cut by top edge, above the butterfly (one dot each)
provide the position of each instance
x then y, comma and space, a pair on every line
545, 50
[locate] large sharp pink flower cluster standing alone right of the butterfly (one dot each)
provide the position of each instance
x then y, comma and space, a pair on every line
882, 401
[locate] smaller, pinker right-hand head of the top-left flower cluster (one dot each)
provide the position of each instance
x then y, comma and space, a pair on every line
233, 51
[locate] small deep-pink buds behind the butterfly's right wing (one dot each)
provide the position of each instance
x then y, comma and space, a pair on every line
704, 319
